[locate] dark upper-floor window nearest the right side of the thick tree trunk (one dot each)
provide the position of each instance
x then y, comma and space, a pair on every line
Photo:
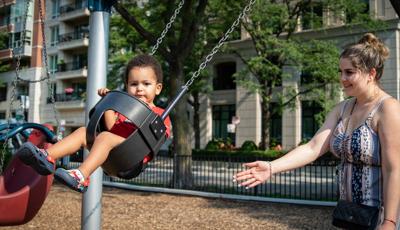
223, 79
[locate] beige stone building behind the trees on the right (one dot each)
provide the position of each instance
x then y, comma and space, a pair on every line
231, 103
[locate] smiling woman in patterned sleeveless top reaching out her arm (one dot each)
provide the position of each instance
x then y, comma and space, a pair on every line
364, 131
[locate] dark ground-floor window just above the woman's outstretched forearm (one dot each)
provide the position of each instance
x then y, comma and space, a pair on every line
309, 124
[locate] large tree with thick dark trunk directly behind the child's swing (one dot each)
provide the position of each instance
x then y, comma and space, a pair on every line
180, 46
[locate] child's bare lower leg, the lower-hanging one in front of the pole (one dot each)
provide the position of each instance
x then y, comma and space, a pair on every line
102, 146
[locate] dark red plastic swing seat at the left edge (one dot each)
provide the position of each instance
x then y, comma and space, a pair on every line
22, 189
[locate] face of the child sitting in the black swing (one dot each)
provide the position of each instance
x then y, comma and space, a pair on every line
142, 83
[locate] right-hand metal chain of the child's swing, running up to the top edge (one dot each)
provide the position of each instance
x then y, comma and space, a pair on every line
216, 48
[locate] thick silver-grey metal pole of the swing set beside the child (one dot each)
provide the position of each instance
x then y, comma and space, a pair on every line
97, 78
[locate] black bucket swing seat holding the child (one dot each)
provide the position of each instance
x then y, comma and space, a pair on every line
125, 160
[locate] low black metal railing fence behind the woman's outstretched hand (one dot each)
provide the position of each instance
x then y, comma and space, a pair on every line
316, 182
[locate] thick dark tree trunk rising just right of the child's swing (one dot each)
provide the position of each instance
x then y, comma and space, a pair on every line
182, 131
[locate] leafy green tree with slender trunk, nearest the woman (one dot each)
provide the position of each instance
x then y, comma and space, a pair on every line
271, 27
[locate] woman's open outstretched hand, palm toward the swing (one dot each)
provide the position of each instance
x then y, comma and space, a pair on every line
259, 172
